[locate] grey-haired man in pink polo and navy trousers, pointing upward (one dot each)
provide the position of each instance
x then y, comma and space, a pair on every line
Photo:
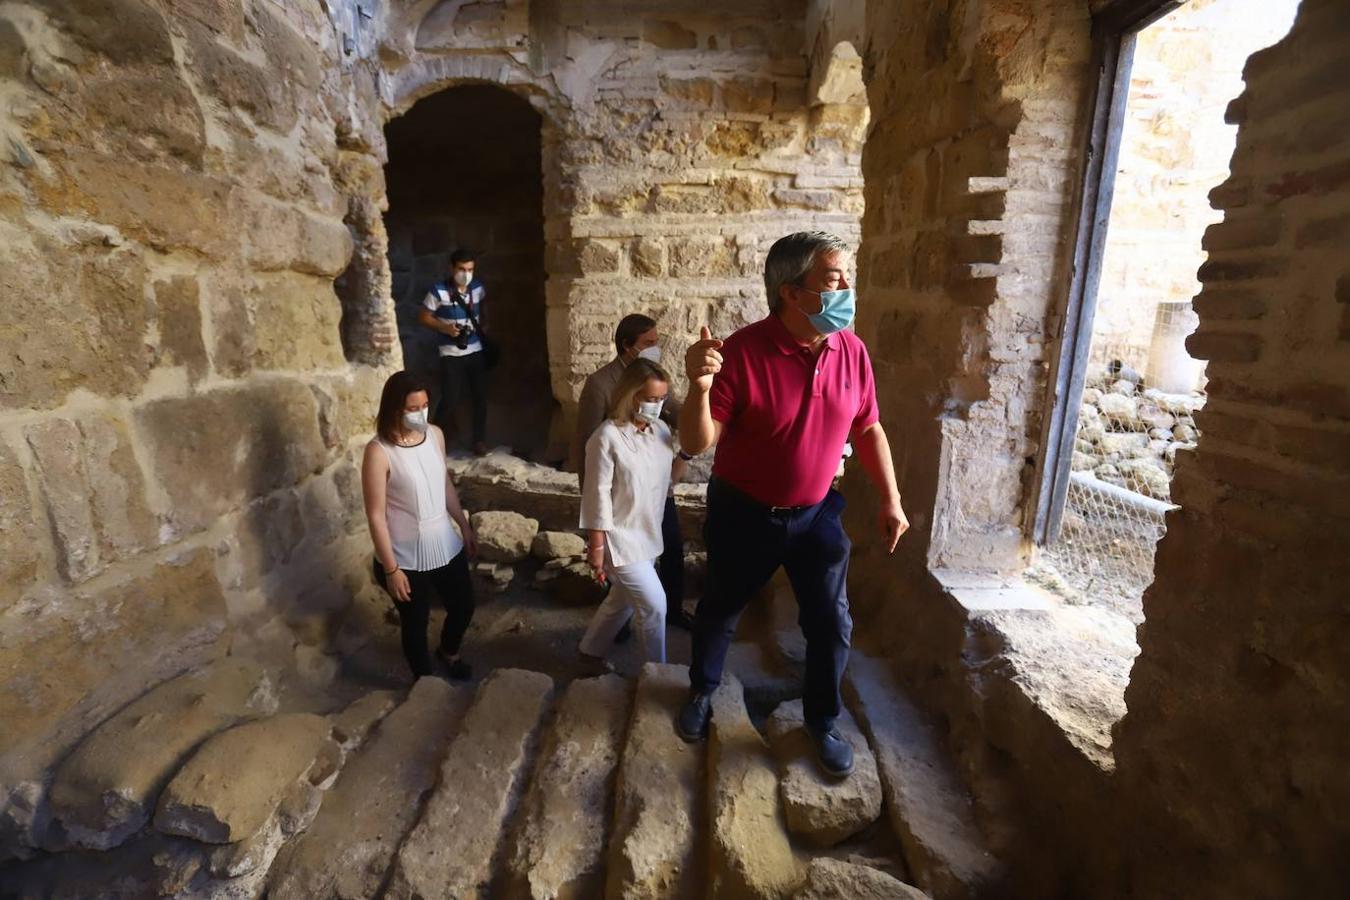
780, 399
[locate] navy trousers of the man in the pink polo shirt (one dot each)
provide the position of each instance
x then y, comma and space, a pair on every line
746, 546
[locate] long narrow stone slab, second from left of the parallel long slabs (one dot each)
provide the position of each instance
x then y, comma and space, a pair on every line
452, 851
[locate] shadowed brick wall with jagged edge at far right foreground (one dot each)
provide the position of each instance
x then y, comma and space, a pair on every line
1235, 744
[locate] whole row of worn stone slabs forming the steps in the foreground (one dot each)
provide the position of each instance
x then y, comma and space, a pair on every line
519, 789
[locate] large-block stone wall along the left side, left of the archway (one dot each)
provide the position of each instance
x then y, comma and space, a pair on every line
176, 405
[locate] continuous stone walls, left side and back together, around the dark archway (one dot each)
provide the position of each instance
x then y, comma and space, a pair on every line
199, 281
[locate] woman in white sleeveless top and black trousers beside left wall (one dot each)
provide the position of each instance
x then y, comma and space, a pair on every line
411, 503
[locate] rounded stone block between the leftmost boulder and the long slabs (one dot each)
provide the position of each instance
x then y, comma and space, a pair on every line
236, 782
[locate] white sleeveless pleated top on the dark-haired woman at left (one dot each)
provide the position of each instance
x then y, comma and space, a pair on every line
415, 507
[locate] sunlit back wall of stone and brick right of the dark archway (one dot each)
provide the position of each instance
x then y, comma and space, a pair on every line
680, 144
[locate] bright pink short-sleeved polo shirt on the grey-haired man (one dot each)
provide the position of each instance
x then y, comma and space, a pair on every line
786, 414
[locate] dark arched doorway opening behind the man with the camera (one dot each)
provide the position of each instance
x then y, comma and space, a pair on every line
465, 171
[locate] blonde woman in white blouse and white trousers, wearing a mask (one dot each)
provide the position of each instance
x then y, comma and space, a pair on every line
630, 463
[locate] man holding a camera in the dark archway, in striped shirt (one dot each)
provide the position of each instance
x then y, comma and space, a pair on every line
454, 311
